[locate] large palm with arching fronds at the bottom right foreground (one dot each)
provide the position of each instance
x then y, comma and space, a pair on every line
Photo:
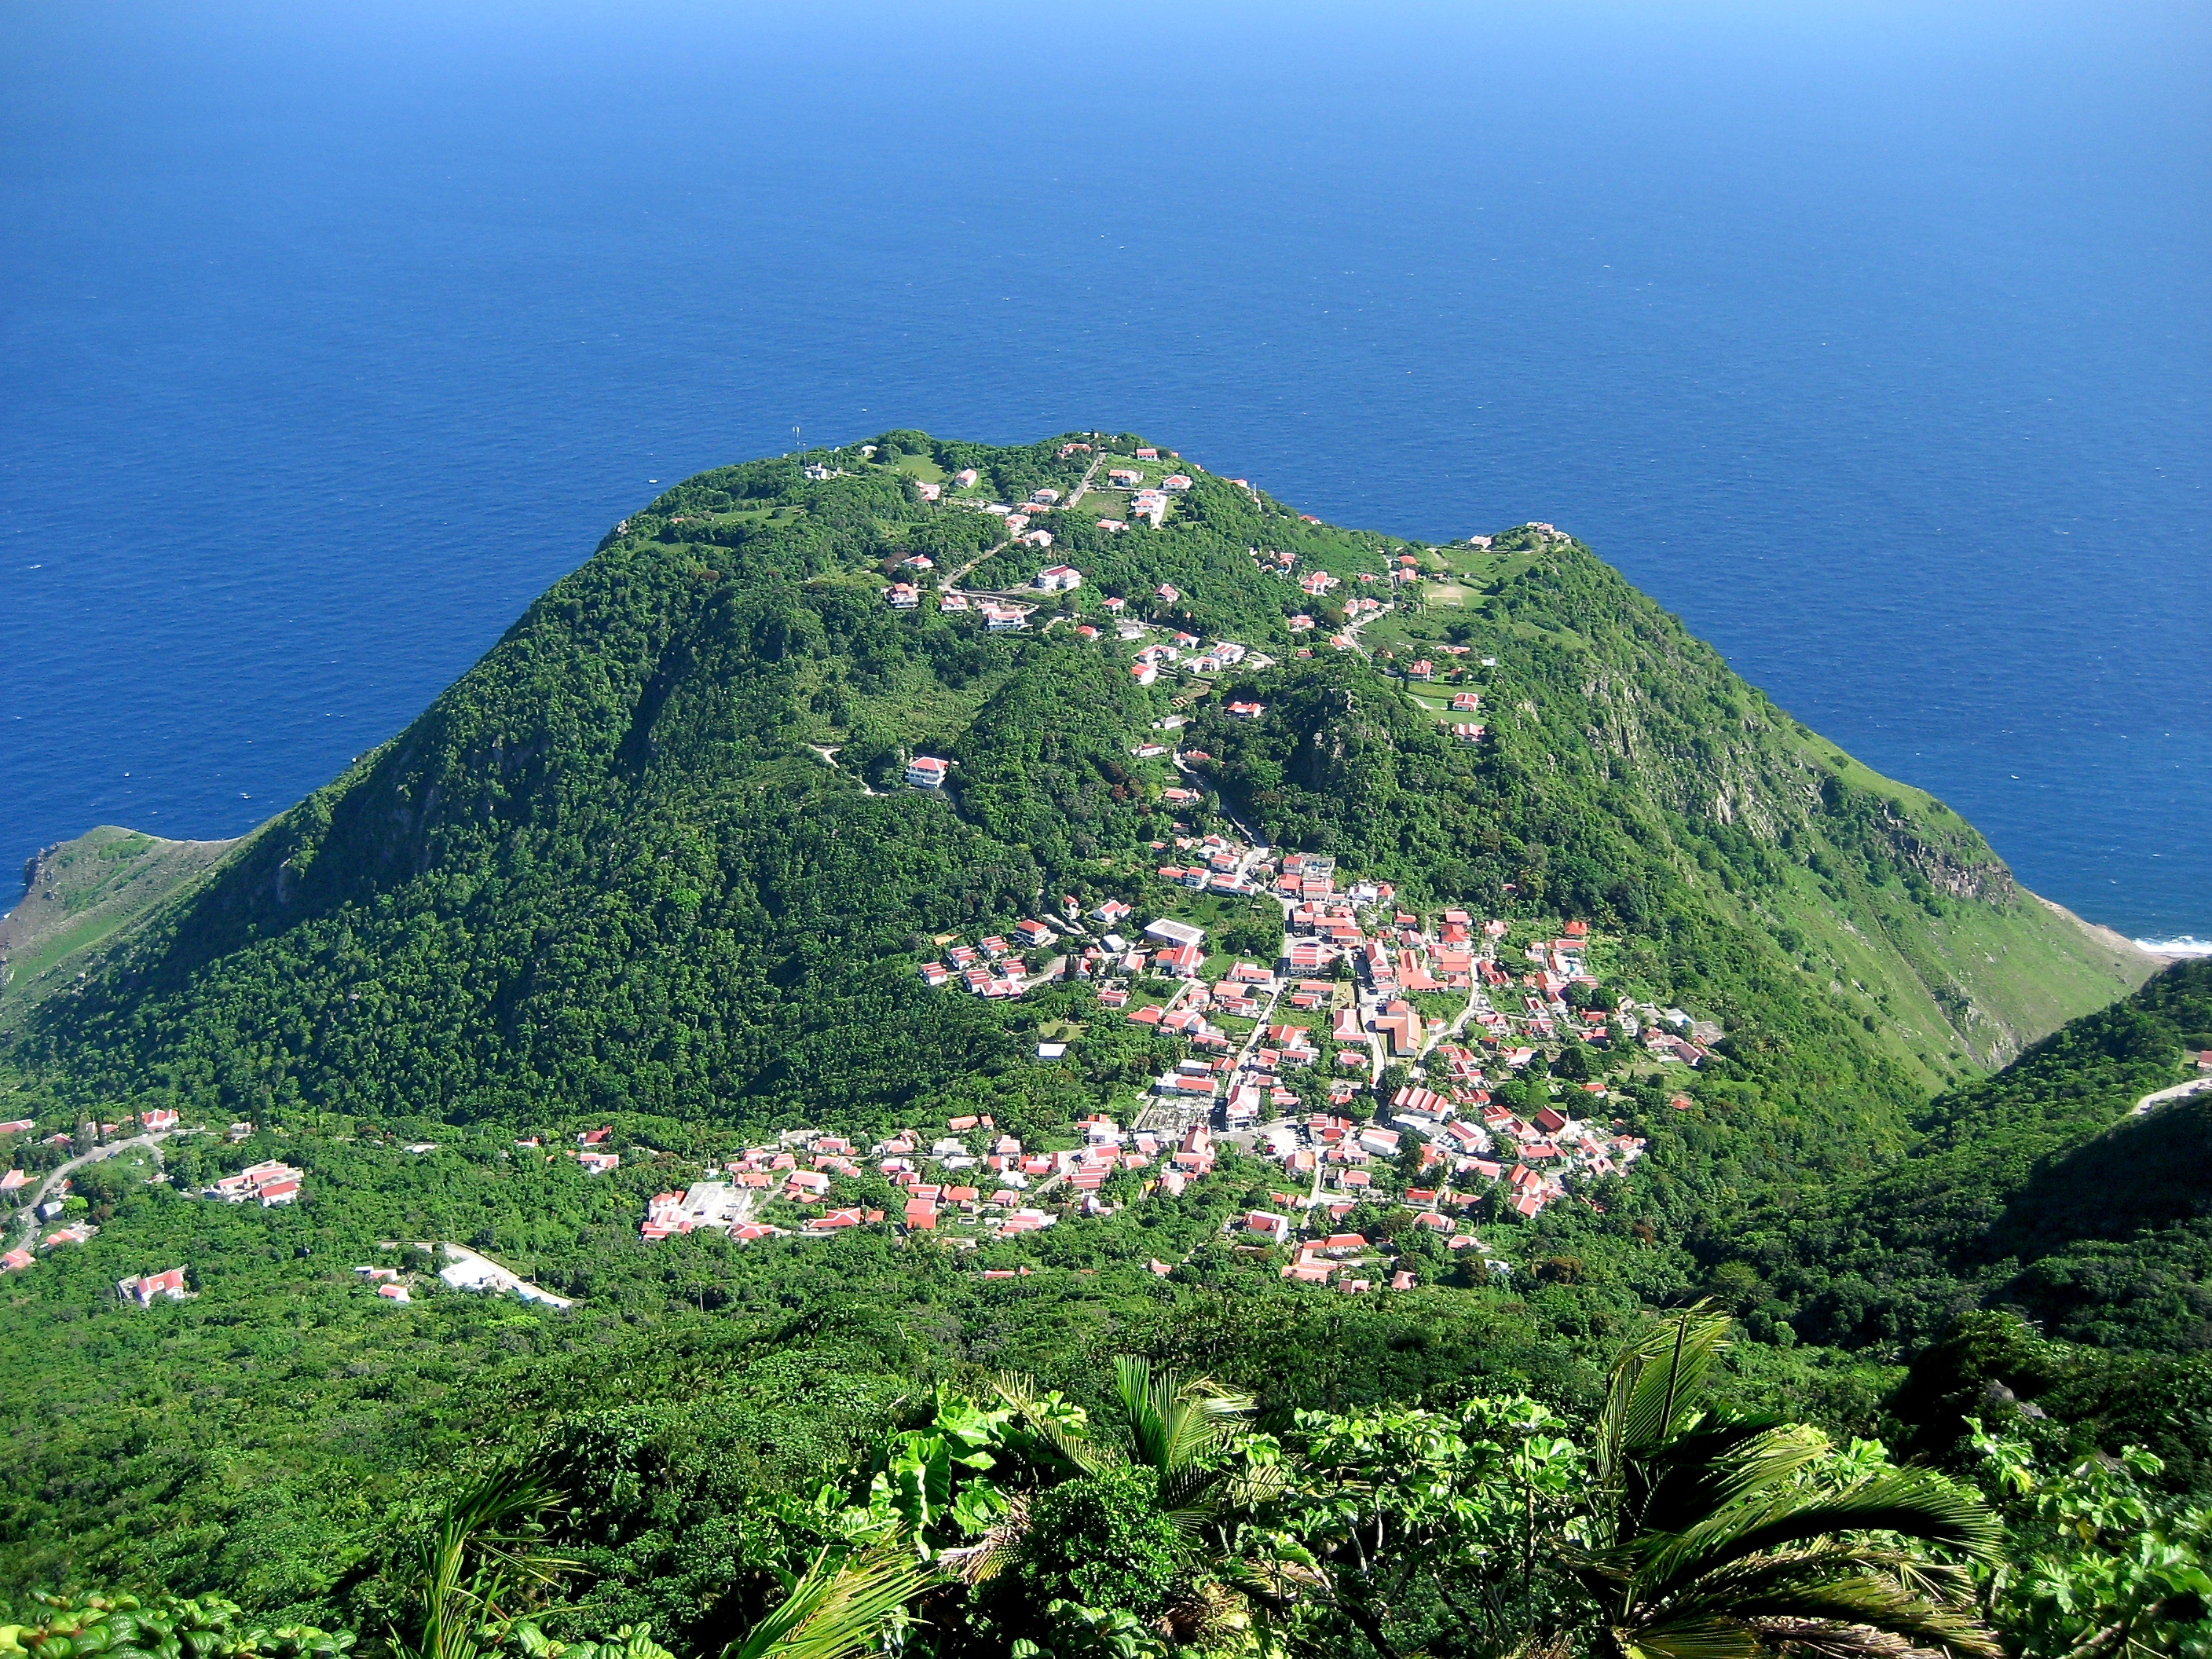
1722, 1538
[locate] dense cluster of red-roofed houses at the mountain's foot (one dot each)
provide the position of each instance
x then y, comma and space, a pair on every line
1284, 1063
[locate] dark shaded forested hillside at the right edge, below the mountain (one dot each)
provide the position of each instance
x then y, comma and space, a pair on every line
2041, 1189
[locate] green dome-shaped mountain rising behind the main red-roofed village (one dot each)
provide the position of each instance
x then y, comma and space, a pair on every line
612, 870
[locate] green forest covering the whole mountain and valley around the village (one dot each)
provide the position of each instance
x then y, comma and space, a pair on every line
649, 866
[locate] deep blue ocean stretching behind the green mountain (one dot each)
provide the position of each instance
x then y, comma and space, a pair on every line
1875, 340
